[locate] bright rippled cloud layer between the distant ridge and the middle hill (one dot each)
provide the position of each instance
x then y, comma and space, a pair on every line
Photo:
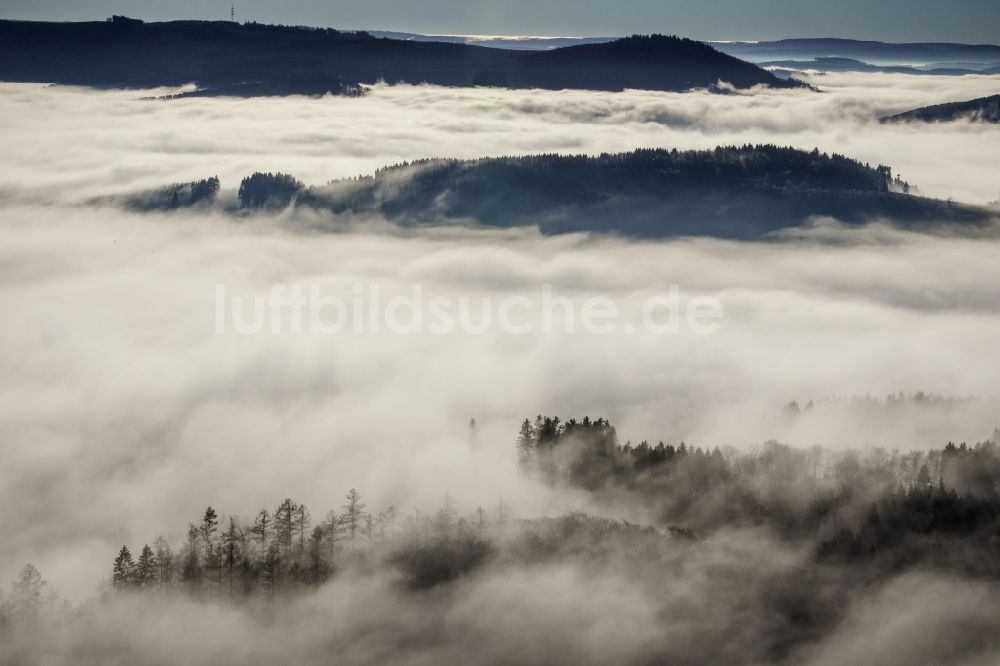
73, 143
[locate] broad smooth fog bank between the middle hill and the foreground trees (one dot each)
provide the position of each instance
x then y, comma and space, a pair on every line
120, 401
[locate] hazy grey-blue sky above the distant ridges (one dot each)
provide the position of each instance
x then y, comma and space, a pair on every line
975, 21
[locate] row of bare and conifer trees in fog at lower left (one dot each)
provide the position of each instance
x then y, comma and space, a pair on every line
285, 549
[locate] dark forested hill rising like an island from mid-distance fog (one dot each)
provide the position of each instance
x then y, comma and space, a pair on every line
730, 192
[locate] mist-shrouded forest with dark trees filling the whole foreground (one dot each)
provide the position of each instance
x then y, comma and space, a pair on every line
760, 555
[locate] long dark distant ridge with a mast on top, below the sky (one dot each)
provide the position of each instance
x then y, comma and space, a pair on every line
130, 53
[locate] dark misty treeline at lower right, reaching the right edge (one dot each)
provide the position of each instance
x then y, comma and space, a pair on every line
938, 508
